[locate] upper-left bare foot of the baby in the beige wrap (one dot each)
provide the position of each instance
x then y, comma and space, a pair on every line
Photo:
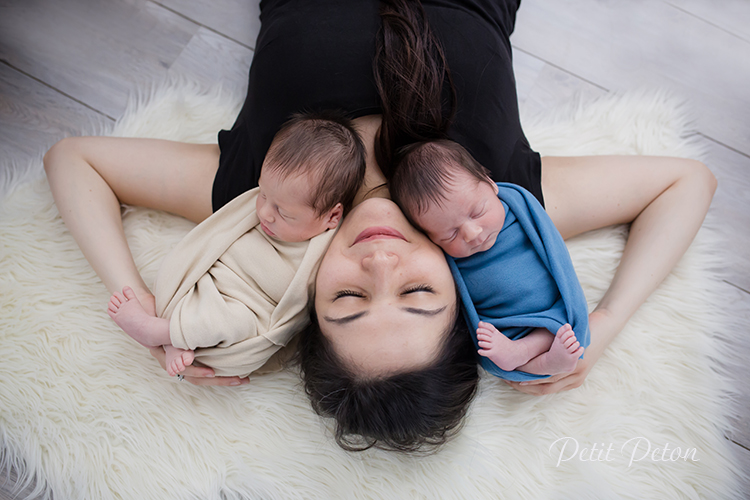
126, 310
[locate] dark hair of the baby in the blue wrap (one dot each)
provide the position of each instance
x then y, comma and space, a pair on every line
423, 171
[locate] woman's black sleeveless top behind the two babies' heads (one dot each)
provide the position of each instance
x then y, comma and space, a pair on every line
318, 55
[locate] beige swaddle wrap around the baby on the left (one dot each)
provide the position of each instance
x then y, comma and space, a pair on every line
232, 293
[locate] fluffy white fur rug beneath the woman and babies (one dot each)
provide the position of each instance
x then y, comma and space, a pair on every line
89, 413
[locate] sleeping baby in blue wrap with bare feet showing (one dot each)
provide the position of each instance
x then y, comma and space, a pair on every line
512, 269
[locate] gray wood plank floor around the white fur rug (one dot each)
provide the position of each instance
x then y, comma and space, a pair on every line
67, 67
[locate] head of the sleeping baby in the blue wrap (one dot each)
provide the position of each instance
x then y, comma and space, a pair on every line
446, 193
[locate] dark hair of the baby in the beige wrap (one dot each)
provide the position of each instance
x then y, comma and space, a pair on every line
326, 145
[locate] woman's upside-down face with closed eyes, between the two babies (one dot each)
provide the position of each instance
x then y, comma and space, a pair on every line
384, 293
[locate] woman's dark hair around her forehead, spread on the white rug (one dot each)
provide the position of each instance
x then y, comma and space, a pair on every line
415, 411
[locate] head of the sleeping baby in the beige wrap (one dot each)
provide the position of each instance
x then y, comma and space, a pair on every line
310, 176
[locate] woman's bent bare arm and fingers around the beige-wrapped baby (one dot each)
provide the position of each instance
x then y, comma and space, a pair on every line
91, 176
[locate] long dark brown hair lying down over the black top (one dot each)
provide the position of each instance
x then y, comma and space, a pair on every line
417, 95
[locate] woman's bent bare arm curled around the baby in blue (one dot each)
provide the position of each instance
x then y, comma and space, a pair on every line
665, 199
